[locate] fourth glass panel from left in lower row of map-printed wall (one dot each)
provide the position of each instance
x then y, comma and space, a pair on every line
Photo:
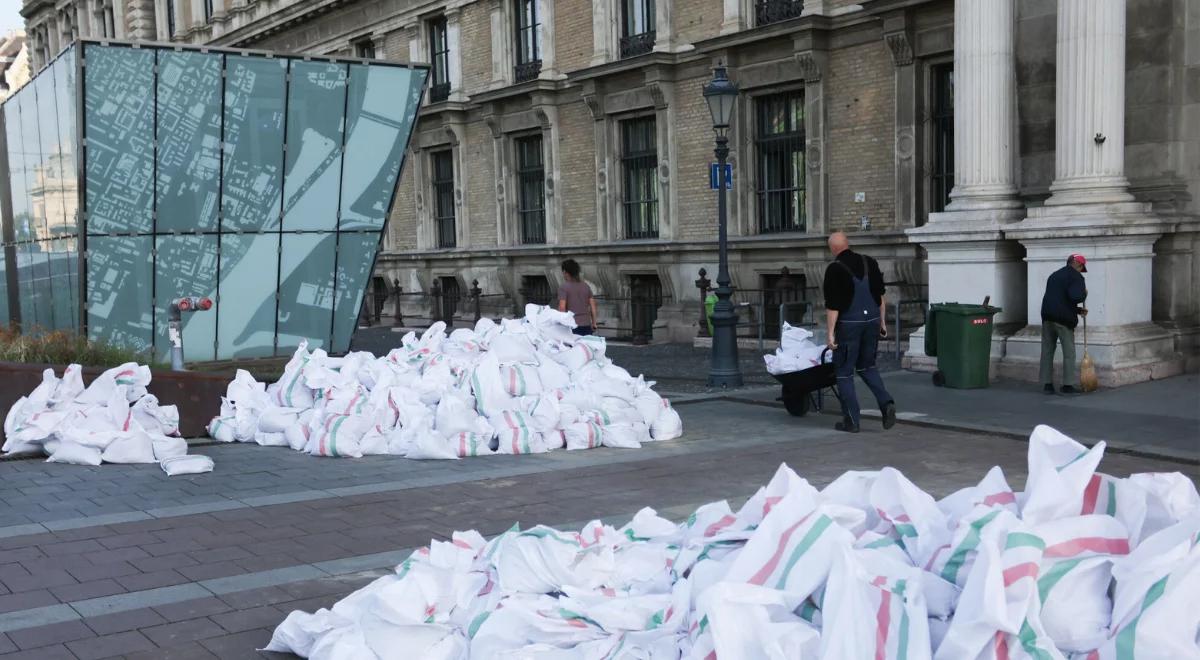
307, 290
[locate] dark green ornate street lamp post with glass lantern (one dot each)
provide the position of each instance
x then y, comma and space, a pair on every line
722, 95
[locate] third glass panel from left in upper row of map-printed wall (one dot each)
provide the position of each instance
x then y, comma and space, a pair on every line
254, 136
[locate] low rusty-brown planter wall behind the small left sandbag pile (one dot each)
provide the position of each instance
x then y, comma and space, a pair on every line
199, 395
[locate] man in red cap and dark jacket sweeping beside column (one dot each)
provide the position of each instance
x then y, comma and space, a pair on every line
1061, 309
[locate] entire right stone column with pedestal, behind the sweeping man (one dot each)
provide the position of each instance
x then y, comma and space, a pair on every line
1091, 212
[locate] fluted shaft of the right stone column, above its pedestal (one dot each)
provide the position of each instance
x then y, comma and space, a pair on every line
1090, 112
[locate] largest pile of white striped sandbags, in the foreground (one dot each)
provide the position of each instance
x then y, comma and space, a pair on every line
1081, 566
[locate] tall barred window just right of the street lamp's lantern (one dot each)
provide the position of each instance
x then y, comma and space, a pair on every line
779, 147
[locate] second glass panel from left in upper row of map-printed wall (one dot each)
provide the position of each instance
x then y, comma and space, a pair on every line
189, 141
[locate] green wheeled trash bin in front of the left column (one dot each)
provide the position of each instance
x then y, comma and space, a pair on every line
961, 338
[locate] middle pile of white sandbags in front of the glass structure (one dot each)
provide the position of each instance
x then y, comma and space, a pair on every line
519, 387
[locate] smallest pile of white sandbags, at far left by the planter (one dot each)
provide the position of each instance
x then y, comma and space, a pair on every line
112, 421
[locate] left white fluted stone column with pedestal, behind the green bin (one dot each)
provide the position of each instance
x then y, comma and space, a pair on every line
969, 256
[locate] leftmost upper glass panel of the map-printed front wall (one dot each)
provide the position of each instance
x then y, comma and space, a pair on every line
119, 127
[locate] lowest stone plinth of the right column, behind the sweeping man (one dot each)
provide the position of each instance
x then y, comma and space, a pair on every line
1124, 355
